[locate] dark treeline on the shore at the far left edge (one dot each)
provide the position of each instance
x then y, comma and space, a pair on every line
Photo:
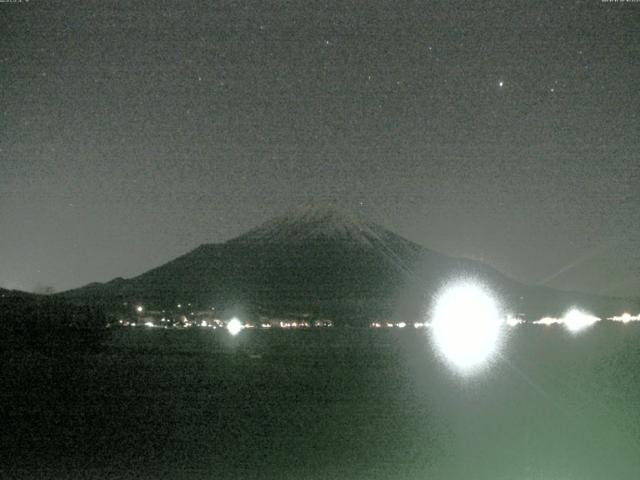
49, 324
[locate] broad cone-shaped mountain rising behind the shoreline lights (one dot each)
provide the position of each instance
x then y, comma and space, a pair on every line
324, 262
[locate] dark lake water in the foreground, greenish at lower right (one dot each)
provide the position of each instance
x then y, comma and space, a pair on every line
338, 404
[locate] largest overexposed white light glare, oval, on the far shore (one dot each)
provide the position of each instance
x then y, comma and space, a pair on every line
466, 325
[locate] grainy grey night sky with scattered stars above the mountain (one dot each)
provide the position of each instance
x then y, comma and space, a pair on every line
131, 132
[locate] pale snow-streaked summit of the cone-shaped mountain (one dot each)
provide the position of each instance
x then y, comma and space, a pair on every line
315, 222
